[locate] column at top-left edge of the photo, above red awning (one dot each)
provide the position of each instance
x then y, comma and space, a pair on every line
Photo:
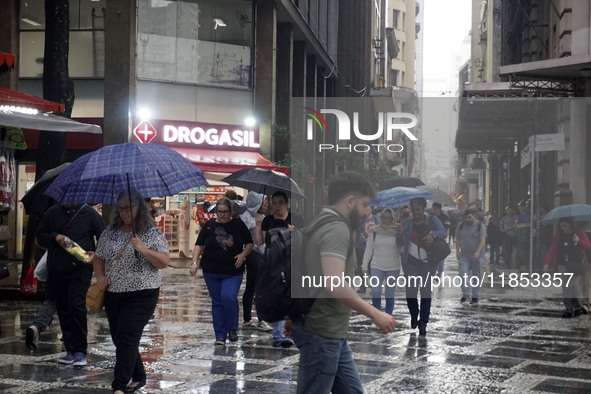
10, 38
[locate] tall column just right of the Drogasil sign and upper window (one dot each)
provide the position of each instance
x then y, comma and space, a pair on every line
265, 73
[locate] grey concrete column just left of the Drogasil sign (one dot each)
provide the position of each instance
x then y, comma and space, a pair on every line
120, 73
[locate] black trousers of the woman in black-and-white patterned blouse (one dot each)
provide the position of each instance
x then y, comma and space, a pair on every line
128, 313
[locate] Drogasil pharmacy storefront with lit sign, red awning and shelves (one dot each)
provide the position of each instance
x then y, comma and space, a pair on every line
218, 150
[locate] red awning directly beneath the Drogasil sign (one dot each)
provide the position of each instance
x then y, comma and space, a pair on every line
227, 161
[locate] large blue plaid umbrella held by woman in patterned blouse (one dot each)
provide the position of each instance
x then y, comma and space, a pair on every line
151, 169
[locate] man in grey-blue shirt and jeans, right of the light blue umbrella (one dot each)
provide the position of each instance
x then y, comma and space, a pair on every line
470, 241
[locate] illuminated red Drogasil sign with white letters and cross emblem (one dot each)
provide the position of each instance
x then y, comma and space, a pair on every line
199, 135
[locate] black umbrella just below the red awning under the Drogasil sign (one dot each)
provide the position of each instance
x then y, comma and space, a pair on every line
264, 181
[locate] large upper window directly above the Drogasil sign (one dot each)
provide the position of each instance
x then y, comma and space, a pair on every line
195, 42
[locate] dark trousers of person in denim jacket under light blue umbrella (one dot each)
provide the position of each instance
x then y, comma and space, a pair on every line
415, 268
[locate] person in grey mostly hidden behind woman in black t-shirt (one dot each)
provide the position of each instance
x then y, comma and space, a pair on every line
256, 204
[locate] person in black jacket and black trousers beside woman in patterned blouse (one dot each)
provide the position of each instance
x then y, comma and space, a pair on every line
68, 279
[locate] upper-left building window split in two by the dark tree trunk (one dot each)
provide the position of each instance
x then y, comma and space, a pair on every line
87, 38
